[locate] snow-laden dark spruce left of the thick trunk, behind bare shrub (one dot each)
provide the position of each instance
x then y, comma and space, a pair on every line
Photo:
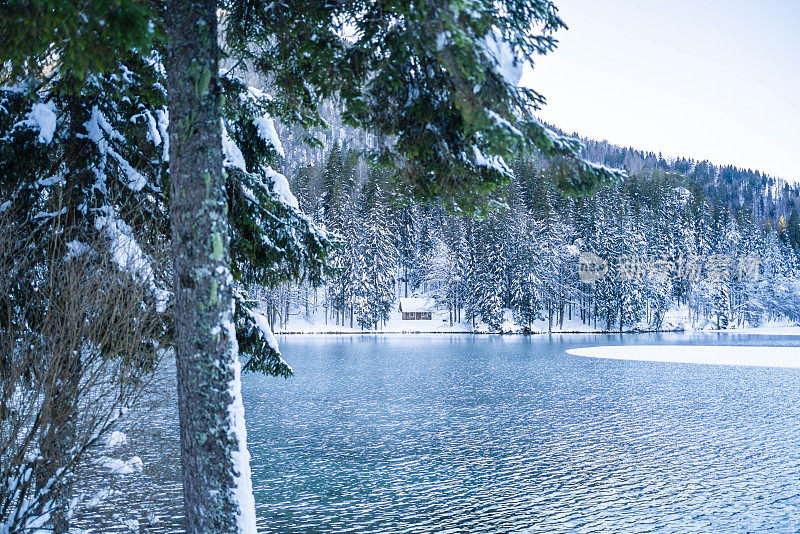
83, 167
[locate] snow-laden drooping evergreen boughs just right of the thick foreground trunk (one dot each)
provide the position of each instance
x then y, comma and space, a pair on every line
272, 241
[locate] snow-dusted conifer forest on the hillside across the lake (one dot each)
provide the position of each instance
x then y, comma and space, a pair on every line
688, 244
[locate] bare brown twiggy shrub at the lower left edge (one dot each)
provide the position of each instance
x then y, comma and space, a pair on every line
80, 337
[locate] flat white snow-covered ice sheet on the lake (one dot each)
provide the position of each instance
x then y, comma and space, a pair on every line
698, 354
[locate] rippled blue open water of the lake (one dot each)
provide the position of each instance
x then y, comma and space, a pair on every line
510, 434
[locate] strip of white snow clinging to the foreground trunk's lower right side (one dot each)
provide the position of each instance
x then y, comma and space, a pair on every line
243, 485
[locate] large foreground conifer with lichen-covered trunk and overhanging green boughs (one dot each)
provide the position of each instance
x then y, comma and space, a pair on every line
452, 122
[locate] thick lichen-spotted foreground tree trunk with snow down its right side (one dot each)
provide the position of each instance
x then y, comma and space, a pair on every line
216, 473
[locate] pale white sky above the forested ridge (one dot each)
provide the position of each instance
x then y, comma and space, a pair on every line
706, 79
